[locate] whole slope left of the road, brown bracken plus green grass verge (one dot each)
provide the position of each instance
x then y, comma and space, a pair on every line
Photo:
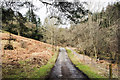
24, 67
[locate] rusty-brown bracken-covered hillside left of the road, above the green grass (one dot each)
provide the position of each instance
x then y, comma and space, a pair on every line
32, 52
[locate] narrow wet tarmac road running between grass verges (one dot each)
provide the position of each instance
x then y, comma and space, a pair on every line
64, 69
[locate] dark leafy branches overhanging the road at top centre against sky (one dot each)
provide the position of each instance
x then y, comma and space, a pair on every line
72, 11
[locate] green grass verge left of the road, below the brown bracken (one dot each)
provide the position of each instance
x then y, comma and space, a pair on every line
26, 71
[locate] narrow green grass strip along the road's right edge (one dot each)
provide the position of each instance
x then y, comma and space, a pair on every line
85, 68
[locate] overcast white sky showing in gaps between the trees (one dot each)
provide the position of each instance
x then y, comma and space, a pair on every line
94, 5
